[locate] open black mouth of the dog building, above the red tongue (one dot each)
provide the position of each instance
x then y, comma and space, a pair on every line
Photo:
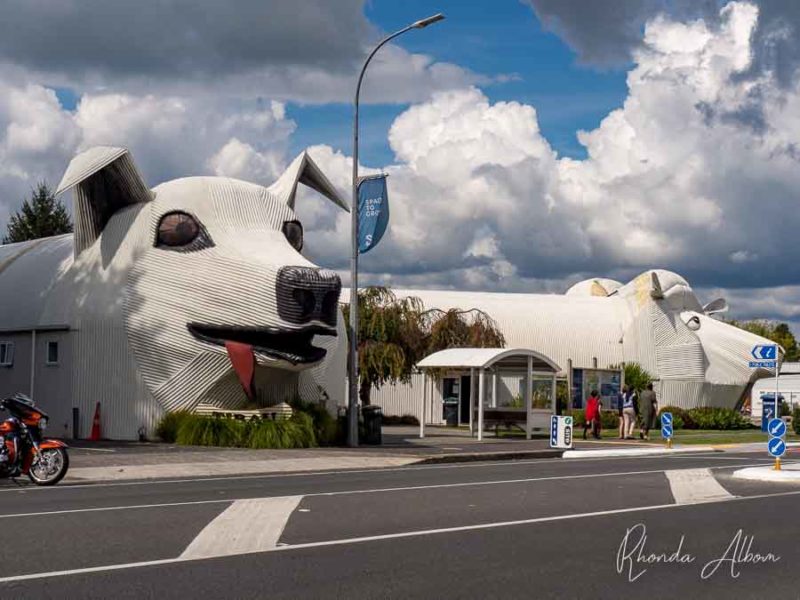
293, 346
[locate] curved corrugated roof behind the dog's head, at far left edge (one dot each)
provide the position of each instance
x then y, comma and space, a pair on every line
27, 272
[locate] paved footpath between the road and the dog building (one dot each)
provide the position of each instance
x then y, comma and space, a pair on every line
128, 461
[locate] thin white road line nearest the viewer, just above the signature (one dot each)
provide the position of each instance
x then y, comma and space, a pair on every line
390, 536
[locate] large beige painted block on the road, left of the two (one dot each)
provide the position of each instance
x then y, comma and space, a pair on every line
246, 526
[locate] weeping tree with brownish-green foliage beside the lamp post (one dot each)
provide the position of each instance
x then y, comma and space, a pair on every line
396, 333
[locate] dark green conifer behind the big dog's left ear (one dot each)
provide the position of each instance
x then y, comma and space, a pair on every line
40, 216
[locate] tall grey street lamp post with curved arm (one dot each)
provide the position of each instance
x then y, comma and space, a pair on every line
352, 422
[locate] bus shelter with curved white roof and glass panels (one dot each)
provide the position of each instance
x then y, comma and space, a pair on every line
483, 363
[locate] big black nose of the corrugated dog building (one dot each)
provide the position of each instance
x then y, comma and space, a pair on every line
305, 294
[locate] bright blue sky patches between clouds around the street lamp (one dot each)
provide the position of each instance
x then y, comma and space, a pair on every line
503, 38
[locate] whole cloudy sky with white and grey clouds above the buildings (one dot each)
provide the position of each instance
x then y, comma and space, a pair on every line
530, 143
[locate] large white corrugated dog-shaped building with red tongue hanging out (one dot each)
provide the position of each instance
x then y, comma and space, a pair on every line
193, 292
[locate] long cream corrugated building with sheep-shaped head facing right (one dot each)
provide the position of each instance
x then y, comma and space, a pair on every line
655, 320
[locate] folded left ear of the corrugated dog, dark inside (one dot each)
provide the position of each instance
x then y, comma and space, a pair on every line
105, 180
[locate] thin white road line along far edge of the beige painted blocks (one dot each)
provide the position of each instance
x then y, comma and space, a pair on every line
367, 491
